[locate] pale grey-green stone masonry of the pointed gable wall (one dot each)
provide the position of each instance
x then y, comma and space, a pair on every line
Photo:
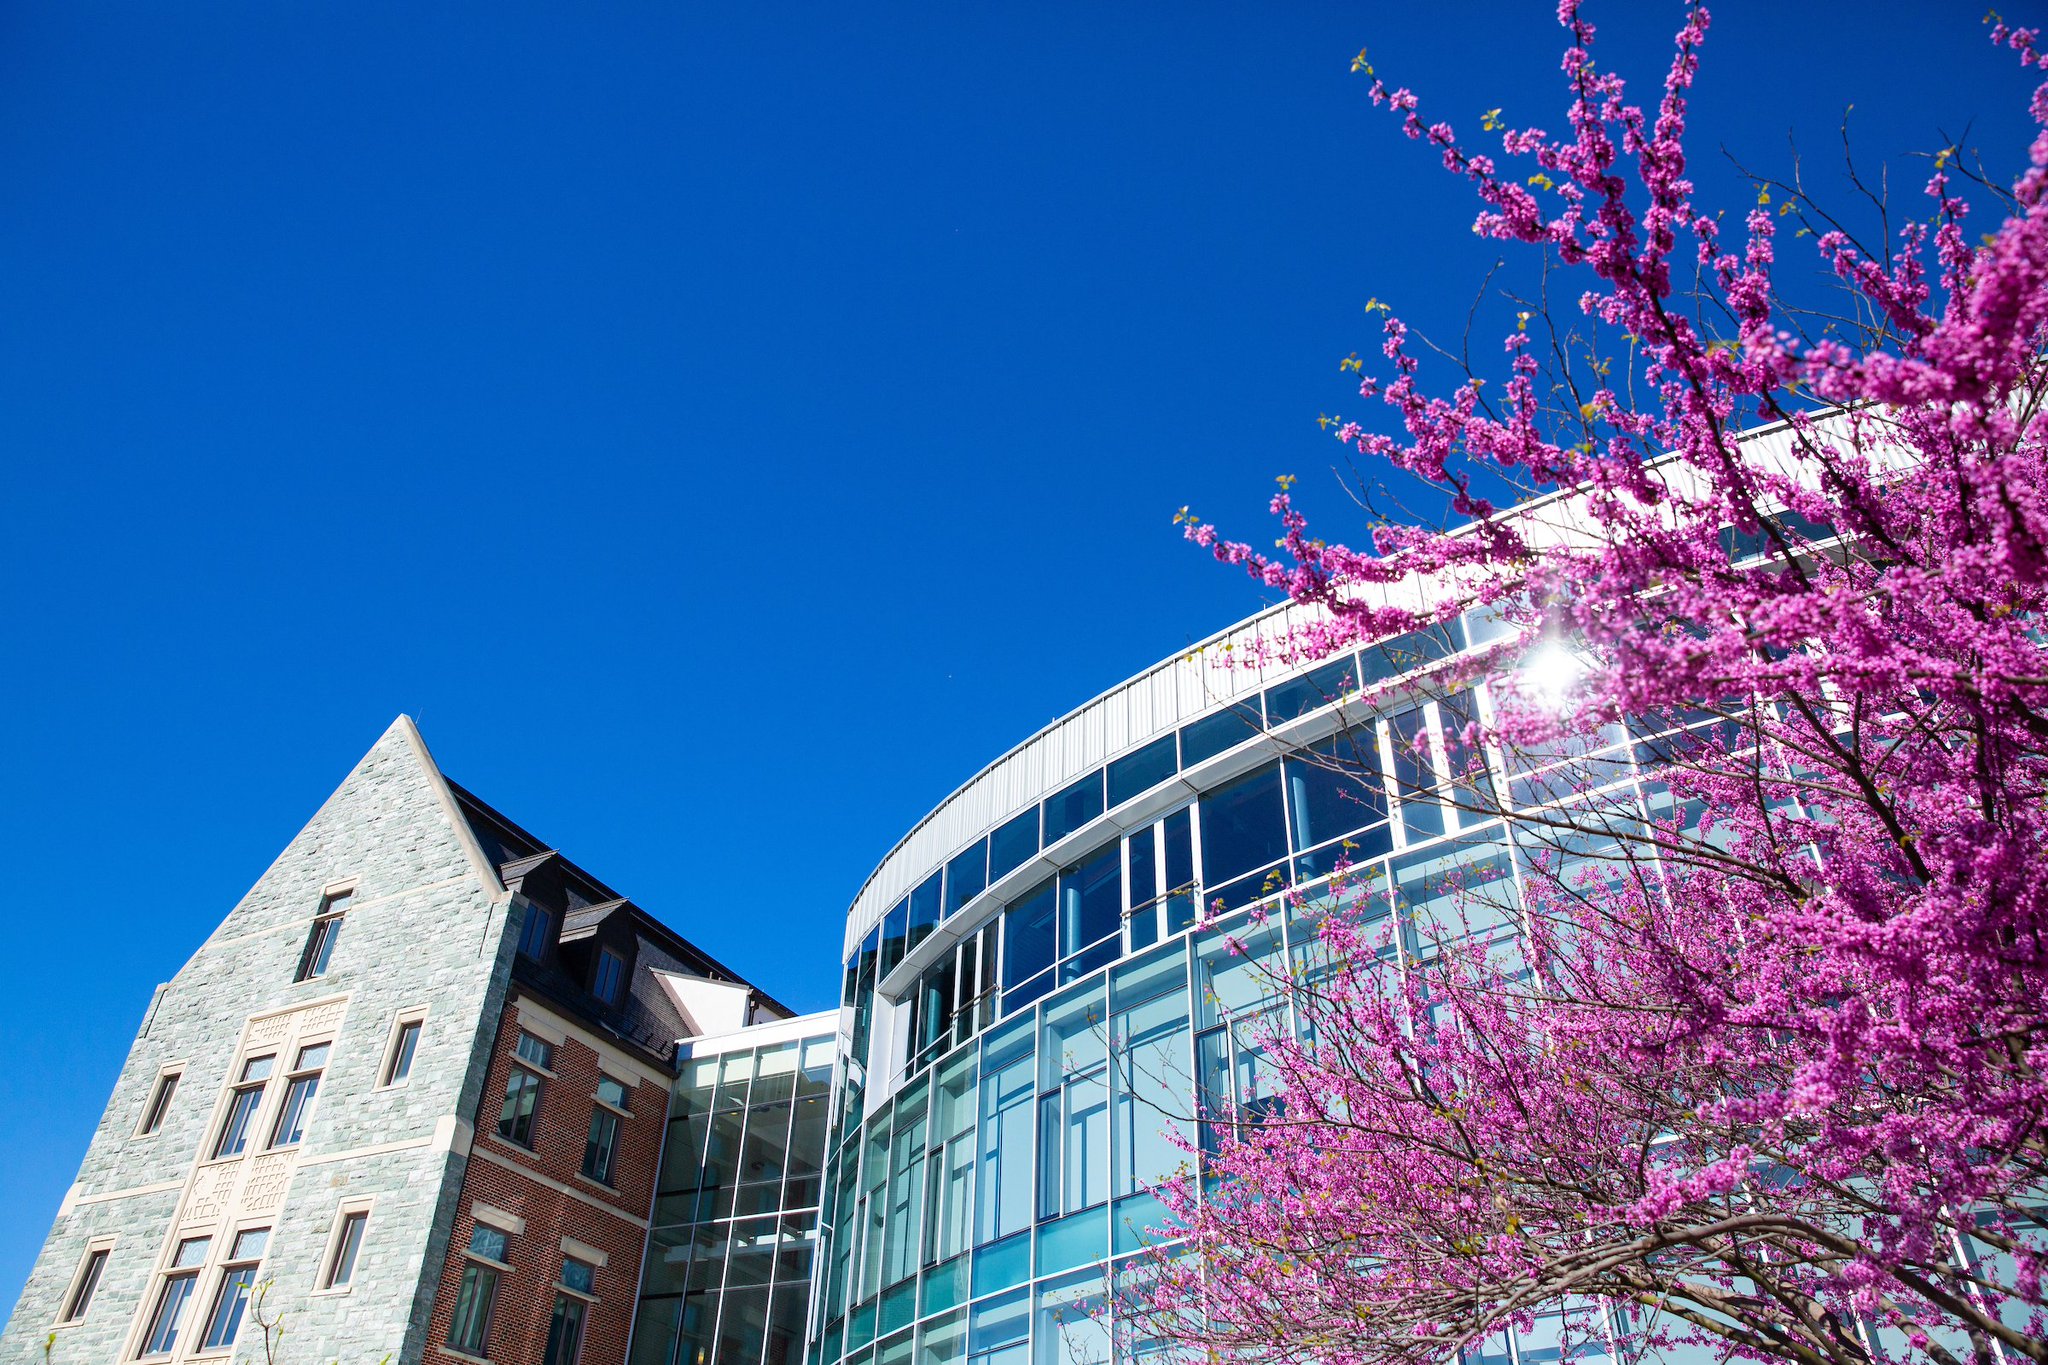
425, 930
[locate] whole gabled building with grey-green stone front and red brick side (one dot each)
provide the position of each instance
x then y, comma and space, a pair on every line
404, 1102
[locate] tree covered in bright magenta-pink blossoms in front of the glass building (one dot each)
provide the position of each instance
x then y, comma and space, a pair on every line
1762, 1069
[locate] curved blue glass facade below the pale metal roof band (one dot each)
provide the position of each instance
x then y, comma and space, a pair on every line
1027, 1037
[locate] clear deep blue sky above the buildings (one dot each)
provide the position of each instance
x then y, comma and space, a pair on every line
724, 427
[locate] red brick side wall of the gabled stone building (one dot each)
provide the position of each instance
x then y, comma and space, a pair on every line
527, 1296
